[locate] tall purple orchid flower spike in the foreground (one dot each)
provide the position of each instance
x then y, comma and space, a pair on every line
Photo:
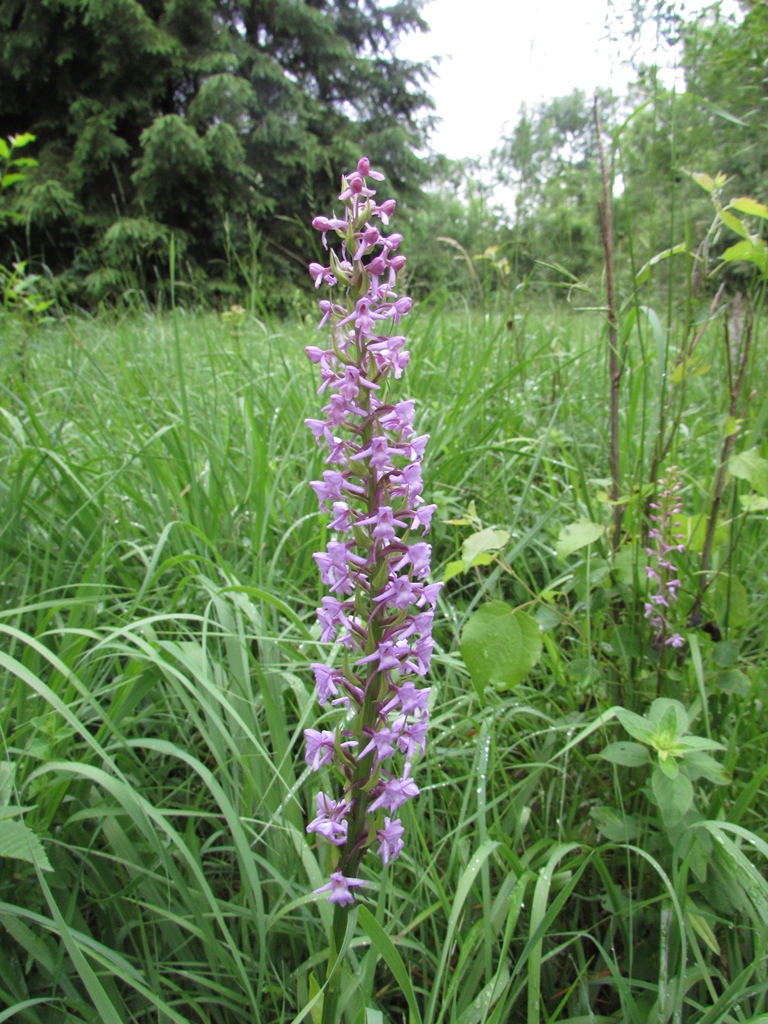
379, 610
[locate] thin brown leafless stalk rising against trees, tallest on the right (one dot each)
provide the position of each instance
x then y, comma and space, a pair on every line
615, 368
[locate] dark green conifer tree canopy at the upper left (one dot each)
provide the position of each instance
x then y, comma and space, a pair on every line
217, 120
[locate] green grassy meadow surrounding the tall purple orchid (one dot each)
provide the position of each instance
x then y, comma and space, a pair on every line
571, 859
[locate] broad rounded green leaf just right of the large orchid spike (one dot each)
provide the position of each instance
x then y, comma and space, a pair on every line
500, 646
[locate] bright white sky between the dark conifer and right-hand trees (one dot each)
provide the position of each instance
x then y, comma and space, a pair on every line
498, 55
